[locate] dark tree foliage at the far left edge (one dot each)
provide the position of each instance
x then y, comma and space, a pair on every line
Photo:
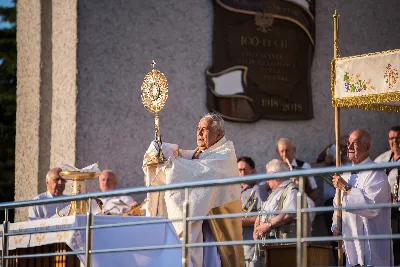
8, 83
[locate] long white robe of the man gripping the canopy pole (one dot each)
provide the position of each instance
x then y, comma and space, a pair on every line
368, 187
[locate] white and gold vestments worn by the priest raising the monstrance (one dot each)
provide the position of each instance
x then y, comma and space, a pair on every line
218, 161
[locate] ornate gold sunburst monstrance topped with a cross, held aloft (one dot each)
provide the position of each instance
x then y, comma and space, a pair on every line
154, 96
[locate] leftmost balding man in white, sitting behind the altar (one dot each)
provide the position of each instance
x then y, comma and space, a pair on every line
55, 187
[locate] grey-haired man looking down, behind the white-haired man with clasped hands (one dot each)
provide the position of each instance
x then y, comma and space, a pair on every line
286, 150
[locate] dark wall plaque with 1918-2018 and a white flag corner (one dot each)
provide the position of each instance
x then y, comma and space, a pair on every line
262, 56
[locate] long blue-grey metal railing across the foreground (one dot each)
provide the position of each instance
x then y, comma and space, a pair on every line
299, 240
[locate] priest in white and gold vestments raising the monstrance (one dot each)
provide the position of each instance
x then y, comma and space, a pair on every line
214, 157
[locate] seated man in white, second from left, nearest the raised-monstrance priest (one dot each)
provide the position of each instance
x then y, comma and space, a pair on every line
112, 205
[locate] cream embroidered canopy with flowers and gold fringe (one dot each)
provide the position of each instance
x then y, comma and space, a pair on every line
369, 81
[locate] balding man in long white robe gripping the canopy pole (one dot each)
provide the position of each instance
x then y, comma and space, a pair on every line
364, 188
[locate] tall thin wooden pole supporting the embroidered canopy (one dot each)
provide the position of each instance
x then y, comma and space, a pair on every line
338, 195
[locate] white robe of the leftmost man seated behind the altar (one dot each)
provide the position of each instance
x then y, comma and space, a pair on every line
45, 211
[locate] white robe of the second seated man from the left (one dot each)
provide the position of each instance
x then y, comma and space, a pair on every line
114, 205
